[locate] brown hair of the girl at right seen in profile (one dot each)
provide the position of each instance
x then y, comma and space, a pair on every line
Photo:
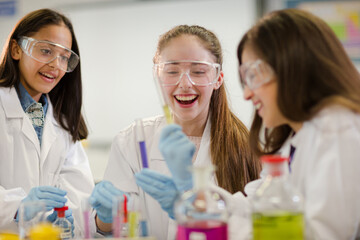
311, 66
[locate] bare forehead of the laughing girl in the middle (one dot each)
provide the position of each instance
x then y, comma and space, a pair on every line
186, 47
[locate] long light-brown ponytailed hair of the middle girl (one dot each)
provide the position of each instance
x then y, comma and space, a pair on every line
230, 151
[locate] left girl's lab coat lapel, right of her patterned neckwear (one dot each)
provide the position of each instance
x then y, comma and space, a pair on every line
49, 133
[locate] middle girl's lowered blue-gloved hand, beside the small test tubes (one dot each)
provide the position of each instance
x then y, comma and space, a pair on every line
101, 200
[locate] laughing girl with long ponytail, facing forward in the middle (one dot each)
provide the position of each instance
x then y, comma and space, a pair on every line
190, 60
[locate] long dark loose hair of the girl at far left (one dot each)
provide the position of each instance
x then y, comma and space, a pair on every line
66, 96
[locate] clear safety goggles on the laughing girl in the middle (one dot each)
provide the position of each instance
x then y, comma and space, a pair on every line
199, 73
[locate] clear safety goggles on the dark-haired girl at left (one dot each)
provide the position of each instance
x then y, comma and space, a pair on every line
46, 52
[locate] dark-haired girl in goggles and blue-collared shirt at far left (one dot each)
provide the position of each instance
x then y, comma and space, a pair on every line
41, 124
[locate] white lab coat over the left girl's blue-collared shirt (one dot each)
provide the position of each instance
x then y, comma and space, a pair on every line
24, 165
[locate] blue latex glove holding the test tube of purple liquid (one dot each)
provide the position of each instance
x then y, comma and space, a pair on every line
162, 188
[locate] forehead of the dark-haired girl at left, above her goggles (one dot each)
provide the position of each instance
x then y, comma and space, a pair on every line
59, 34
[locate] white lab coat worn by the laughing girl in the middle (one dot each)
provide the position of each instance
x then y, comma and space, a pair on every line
125, 161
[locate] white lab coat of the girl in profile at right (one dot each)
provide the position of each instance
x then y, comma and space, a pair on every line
326, 170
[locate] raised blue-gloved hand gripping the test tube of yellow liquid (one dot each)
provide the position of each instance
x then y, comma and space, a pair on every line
178, 151
